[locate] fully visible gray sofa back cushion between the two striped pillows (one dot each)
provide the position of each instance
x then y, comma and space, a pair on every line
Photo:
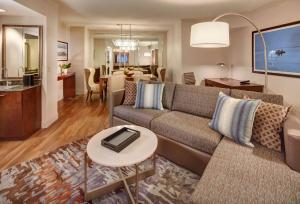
197, 100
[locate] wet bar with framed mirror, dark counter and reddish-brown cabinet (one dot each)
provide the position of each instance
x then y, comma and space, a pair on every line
20, 106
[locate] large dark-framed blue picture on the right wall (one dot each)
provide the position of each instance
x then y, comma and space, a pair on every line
283, 50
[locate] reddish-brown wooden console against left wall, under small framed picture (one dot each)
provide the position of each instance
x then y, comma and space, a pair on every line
68, 84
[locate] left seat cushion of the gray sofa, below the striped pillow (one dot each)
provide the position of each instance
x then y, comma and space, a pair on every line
141, 117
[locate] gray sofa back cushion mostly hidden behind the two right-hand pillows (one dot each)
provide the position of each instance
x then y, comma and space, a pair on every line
270, 98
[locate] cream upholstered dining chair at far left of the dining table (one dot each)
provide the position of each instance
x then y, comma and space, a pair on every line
91, 86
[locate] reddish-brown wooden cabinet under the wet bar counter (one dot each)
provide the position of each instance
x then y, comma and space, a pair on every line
20, 113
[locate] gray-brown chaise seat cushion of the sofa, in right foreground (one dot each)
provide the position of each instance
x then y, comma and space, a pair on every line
238, 174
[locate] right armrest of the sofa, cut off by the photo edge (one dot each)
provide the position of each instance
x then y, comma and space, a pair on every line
292, 143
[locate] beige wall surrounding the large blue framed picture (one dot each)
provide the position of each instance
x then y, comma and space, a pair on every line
241, 50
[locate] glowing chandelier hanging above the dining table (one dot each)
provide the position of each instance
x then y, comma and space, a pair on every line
126, 43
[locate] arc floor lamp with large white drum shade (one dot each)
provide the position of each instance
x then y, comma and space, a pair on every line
215, 34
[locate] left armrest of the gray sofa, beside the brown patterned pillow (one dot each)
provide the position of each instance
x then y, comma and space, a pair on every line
115, 99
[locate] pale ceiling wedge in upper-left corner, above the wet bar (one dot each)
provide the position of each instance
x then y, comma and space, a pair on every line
15, 9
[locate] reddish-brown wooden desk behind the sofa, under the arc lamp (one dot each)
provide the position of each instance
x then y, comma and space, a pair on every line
233, 84
